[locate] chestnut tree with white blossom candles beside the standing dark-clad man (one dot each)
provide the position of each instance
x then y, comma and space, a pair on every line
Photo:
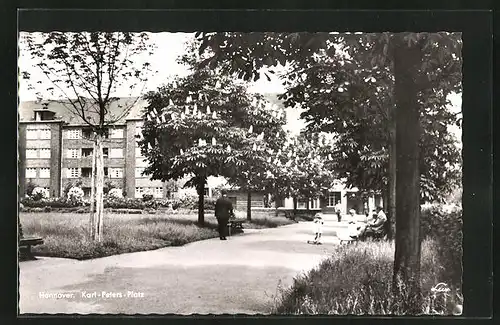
206, 125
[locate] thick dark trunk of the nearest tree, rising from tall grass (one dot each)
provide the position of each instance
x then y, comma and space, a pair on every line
406, 279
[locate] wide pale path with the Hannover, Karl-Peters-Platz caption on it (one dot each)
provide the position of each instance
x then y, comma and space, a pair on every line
240, 275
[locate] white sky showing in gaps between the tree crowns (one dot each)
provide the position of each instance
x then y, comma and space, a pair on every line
169, 47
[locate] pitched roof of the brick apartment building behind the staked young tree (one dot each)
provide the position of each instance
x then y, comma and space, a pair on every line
65, 112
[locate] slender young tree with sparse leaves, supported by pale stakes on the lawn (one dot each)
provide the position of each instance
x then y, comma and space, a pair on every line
84, 71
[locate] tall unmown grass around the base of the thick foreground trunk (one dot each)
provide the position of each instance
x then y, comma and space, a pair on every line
357, 279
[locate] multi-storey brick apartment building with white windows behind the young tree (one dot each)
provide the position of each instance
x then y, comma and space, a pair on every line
55, 149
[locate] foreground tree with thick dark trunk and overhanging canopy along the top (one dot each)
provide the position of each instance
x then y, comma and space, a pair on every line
419, 61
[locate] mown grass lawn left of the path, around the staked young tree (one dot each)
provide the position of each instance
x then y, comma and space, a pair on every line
66, 234
